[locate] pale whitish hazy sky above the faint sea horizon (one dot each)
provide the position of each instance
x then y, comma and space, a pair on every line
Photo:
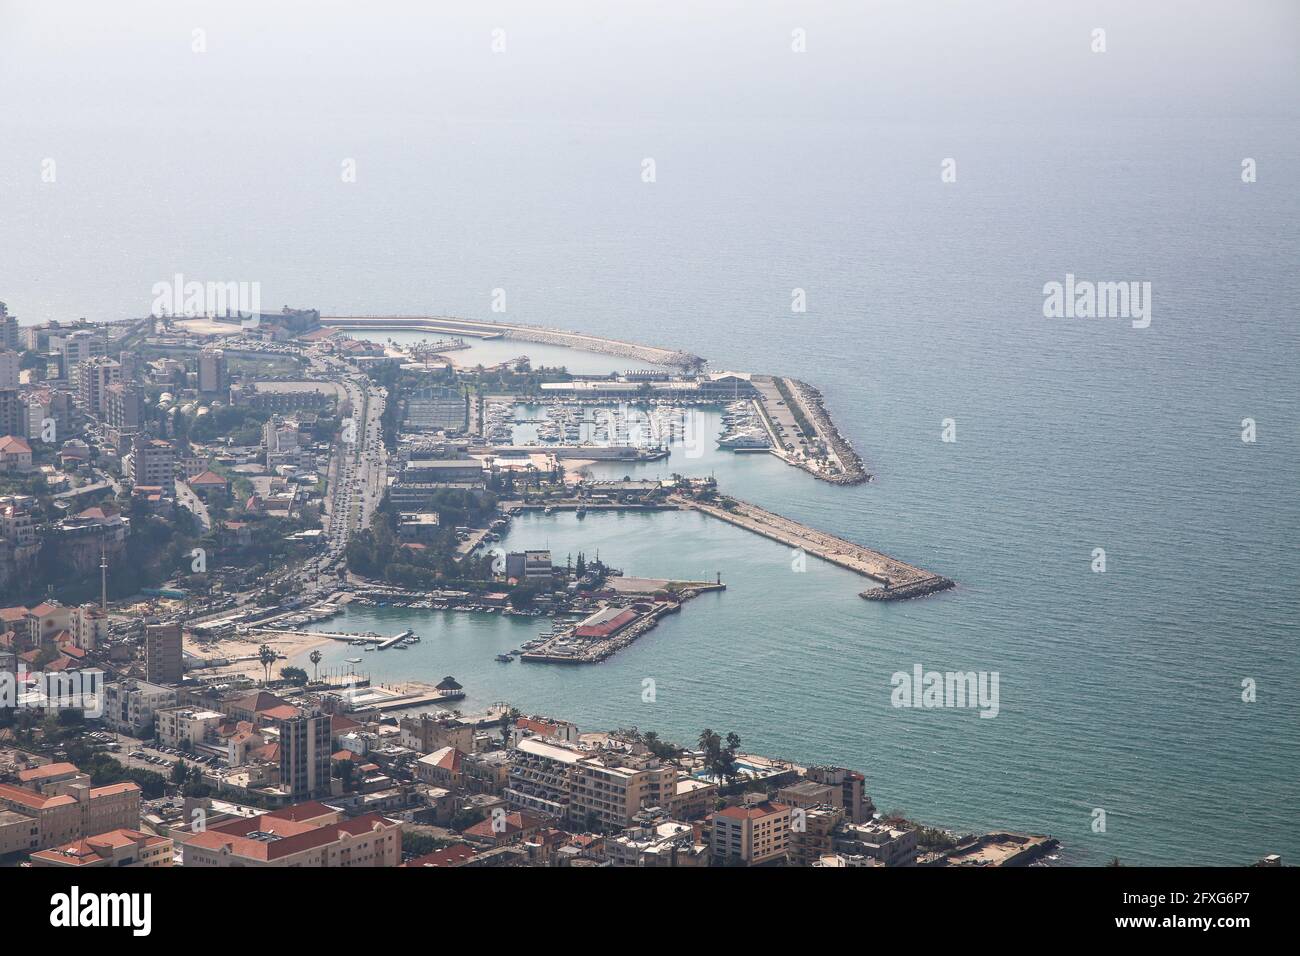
298, 64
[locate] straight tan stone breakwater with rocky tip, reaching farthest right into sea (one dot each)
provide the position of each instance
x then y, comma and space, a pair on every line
899, 581
